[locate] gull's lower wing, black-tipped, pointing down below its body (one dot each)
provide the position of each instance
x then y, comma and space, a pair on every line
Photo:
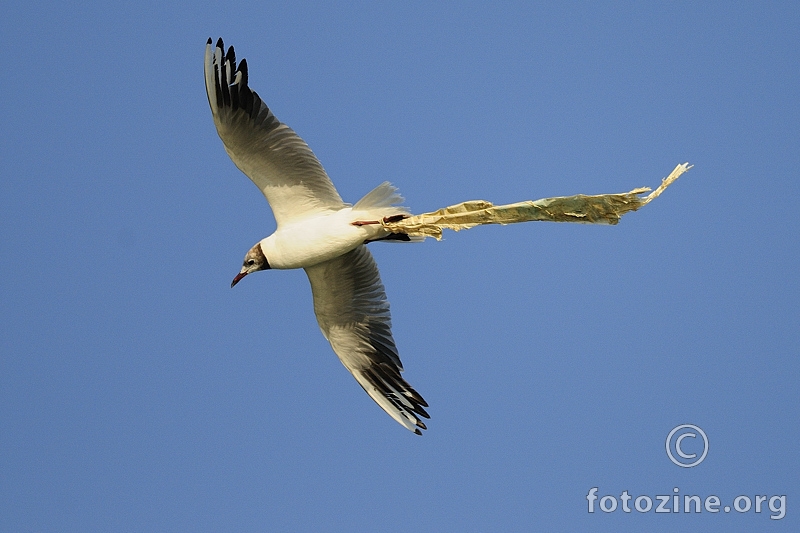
353, 313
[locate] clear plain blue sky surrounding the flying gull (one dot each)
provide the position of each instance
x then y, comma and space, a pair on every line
138, 392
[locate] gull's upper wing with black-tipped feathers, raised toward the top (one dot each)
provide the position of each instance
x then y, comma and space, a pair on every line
270, 153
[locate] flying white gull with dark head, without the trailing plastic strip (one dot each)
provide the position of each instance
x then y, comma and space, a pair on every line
318, 232
